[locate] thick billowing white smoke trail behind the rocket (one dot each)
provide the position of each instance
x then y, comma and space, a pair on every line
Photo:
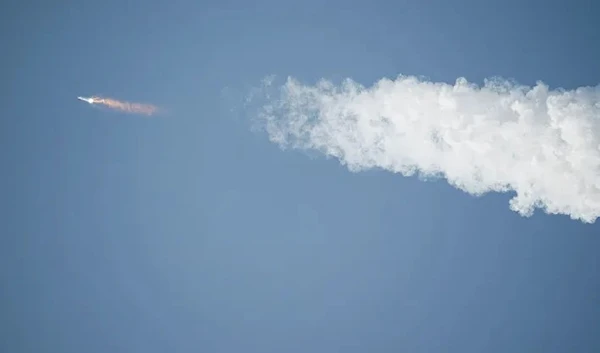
543, 144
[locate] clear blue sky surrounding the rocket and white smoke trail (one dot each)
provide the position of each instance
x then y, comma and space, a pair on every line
192, 233
